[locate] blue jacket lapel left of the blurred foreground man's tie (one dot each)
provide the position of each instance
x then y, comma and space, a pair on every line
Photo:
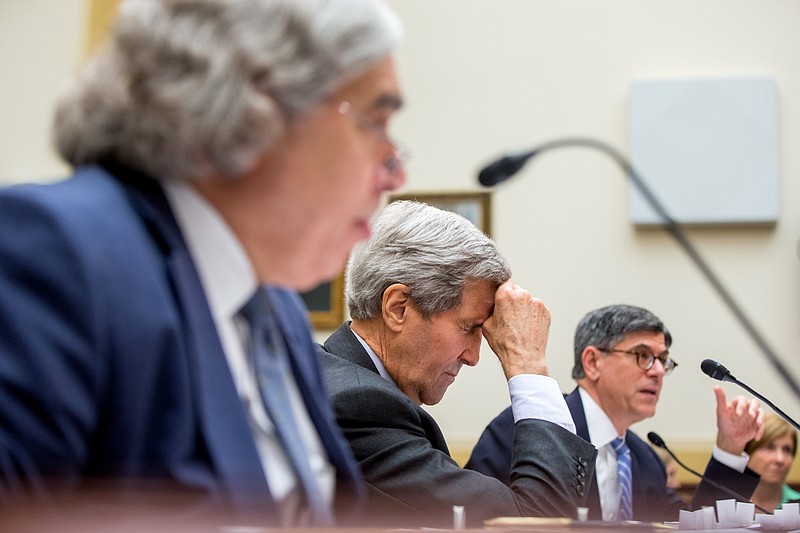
222, 420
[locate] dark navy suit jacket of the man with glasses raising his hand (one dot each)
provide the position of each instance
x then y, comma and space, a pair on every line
652, 500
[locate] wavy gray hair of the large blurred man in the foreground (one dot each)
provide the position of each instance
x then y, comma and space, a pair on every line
190, 87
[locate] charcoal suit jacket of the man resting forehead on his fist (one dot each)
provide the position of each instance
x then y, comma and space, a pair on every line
413, 481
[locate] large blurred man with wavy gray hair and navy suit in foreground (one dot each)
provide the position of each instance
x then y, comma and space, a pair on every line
227, 154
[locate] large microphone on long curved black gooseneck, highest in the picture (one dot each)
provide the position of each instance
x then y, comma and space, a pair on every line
505, 167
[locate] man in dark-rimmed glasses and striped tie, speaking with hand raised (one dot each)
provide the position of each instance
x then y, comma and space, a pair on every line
621, 358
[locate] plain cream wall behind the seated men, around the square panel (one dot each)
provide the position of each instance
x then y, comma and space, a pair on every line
486, 76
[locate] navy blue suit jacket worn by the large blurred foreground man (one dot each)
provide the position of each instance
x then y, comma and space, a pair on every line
110, 364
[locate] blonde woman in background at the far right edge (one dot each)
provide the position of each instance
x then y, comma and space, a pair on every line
772, 457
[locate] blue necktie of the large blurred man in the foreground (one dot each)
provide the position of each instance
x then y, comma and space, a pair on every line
273, 370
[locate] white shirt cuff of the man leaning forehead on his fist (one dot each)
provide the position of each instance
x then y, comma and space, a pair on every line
535, 396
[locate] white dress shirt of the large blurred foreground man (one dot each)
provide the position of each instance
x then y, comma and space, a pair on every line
229, 281
